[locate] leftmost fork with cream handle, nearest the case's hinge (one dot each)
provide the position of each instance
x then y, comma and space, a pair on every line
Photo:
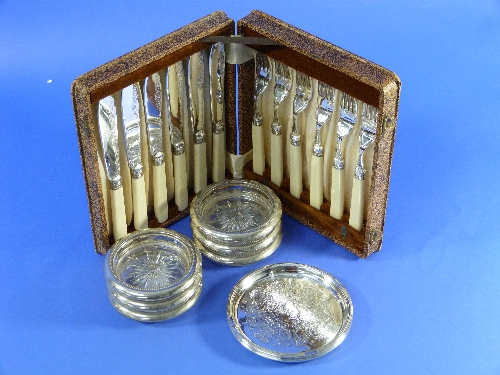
262, 79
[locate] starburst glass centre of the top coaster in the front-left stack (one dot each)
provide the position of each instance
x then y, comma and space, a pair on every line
154, 269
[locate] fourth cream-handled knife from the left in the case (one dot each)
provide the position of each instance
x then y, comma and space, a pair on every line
174, 89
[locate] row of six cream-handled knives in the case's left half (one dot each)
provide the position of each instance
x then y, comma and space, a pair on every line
166, 120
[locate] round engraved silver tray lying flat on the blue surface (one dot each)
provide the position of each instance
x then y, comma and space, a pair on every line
289, 312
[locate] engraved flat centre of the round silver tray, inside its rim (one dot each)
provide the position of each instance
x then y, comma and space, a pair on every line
291, 314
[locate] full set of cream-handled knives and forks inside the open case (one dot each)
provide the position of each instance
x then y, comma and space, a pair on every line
165, 135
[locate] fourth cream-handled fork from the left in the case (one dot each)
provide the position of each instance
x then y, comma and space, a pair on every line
326, 95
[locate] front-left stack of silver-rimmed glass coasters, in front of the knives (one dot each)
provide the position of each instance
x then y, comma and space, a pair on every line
153, 274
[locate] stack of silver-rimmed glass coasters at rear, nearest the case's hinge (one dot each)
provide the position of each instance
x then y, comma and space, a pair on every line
236, 222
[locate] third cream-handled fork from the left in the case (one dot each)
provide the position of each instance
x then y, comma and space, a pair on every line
302, 97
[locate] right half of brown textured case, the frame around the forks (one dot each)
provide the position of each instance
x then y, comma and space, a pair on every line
351, 74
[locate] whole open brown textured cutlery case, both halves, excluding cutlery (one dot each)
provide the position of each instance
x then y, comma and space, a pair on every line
302, 51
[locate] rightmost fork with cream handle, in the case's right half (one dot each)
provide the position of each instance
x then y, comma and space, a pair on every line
367, 135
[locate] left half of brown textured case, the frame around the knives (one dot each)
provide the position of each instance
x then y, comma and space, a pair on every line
114, 76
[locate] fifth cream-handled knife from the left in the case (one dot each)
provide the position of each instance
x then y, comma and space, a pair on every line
197, 72
